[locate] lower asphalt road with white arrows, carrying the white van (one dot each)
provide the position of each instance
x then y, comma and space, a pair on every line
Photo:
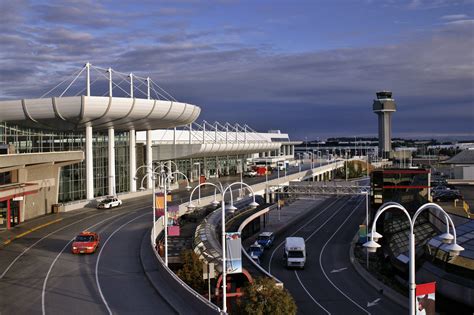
329, 284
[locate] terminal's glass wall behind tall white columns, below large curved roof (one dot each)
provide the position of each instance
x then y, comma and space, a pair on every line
72, 183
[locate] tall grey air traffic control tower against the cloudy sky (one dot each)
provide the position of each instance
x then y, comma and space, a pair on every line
384, 106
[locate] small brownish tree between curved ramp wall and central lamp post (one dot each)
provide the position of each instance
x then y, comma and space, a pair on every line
191, 271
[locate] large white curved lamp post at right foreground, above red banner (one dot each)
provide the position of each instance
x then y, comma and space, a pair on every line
453, 248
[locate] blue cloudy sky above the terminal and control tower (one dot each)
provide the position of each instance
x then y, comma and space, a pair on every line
309, 68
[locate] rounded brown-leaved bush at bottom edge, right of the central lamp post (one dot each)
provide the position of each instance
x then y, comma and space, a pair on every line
264, 297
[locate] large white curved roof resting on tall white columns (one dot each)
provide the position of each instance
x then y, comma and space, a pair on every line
75, 112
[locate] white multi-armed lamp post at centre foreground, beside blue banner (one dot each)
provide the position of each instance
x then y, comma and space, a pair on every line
223, 191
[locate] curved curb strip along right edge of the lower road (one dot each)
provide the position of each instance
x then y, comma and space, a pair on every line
371, 280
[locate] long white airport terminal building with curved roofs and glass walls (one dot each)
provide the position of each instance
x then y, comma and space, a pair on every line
76, 148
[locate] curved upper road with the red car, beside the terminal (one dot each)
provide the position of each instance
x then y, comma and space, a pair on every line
48, 278
